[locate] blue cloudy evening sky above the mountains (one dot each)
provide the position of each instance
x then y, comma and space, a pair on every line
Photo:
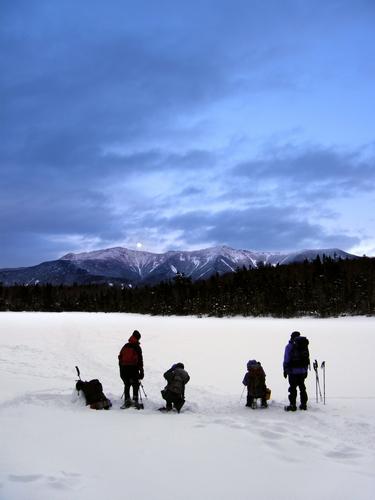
173, 125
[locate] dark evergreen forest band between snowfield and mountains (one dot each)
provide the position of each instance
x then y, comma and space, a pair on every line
321, 288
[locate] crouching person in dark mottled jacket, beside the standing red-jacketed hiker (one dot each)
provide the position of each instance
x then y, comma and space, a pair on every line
174, 392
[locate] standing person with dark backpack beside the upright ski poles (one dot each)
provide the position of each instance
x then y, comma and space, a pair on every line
296, 364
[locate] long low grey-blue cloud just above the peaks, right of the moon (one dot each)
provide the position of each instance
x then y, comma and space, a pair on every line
267, 228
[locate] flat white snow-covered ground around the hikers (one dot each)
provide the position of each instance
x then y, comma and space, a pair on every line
53, 447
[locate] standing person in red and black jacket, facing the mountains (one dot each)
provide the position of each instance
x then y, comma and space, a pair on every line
131, 368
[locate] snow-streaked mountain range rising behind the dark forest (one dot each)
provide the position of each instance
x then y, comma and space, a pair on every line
132, 267
